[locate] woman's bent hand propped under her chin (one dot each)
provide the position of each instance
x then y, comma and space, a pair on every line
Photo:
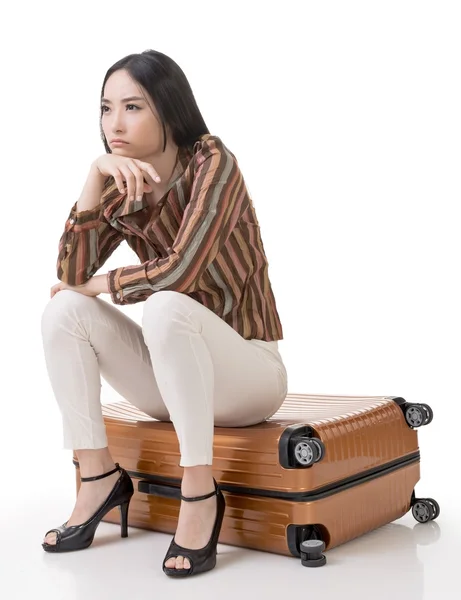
138, 175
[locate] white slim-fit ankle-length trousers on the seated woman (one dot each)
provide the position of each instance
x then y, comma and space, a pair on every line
185, 365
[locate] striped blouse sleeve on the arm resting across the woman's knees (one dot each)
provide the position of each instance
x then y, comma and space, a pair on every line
218, 198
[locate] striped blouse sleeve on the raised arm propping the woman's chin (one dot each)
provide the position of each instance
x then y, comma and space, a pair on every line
87, 242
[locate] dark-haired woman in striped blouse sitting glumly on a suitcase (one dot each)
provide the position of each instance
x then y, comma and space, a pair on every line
207, 353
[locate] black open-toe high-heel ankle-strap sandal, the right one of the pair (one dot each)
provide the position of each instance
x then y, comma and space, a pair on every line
203, 559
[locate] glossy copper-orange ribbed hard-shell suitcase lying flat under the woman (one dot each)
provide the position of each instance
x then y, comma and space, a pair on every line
322, 471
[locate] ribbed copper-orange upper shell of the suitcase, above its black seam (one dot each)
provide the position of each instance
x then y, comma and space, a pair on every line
359, 434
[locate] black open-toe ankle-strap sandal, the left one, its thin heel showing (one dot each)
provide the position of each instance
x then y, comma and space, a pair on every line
78, 537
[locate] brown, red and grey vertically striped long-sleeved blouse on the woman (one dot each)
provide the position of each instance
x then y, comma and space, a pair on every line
201, 239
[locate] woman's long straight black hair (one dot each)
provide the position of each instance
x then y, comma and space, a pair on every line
170, 91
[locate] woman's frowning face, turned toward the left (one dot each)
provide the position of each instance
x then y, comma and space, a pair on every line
128, 113
